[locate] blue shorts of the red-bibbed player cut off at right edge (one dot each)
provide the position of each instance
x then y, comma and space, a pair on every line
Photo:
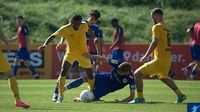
195, 51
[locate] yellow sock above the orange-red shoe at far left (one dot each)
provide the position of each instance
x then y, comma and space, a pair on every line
14, 87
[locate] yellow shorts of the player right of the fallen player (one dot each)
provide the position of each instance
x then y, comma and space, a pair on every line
156, 67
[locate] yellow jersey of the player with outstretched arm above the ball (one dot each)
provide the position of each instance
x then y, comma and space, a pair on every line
75, 39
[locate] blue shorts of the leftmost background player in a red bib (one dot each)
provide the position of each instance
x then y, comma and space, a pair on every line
23, 54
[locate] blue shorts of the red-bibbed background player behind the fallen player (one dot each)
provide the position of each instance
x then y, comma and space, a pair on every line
117, 55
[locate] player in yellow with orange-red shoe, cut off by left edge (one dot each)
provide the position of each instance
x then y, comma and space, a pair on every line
6, 69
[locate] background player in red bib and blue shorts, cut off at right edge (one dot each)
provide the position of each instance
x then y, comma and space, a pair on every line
194, 33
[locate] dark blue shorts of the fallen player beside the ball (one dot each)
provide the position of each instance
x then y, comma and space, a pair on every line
101, 86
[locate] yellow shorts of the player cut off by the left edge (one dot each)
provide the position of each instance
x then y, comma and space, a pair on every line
4, 64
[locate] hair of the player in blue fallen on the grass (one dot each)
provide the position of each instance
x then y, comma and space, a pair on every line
125, 67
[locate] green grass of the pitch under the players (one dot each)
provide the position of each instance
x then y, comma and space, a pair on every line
38, 93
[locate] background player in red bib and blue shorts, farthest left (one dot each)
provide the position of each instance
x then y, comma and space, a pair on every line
23, 44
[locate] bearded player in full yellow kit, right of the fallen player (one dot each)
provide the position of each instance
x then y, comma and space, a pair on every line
160, 65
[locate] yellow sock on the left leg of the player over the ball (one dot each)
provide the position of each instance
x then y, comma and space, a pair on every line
61, 85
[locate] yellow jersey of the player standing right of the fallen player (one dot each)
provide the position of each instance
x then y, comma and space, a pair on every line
163, 49
